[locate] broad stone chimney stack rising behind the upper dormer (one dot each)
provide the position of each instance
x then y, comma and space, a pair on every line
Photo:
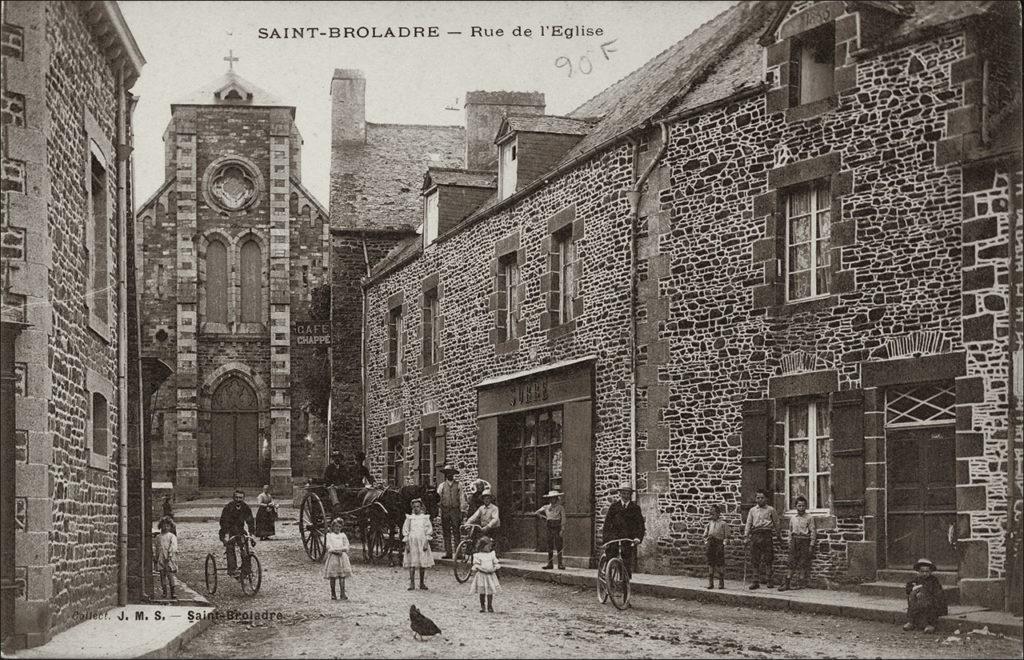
485, 112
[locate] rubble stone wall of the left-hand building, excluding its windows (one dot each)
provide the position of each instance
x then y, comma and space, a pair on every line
59, 94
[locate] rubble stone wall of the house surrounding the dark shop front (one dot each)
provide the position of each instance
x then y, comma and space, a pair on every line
465, 265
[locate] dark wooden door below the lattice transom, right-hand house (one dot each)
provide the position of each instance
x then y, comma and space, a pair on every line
921, 496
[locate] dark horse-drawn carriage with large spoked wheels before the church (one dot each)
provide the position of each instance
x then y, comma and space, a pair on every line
377, 514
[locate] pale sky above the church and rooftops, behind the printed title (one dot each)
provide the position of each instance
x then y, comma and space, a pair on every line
416, 80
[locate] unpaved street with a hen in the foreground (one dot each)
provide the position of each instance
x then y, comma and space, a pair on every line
532, 620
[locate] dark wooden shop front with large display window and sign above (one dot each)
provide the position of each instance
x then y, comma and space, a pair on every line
536, 436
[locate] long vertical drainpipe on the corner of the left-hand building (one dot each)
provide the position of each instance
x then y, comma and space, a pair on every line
122, 347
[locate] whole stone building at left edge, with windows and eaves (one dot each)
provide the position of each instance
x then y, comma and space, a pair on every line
74, 533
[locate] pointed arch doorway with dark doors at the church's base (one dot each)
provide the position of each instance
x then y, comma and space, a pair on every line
235, 444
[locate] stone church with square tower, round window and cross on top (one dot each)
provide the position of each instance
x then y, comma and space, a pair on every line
234, 251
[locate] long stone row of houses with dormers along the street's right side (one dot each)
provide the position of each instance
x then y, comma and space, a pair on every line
778, 256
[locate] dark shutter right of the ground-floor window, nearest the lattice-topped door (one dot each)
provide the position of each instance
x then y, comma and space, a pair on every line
848, 453
